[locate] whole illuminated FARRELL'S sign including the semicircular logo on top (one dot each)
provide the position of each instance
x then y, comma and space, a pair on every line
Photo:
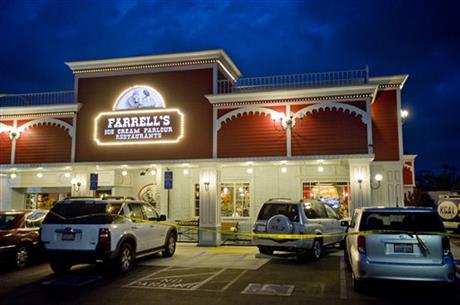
139, 117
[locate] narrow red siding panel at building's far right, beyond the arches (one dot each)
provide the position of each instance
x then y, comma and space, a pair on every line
385, 126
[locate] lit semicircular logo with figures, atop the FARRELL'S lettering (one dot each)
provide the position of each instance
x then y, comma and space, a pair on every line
138, 97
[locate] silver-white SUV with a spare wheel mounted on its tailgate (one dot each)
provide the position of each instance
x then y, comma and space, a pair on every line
284, 216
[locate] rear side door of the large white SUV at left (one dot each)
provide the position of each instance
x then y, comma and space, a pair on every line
140, 226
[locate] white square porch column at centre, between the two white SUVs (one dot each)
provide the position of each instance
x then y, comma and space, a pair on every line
209, 208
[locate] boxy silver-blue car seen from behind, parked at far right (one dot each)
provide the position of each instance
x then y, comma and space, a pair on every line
398, 244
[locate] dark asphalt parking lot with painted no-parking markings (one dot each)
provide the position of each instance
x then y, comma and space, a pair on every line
224, 275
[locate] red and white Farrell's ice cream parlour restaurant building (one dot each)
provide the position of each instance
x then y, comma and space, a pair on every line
186, 132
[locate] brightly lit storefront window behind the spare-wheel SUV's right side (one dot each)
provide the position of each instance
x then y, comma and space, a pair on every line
335, 194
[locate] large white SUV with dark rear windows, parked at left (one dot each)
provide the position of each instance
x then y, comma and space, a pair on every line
89, 230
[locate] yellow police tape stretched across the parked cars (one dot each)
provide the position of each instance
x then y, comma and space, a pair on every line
275, 236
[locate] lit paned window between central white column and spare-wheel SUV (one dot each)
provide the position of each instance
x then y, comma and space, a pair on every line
234, 199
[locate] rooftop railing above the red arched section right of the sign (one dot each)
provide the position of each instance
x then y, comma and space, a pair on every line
295, 81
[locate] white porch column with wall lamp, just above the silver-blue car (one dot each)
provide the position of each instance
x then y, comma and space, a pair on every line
360, 187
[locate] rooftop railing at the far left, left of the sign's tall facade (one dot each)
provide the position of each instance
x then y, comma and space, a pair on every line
36, 99
